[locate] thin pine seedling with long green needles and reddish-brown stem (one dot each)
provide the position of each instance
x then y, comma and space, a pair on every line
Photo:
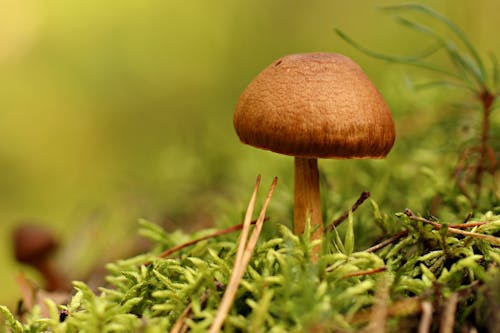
477, 162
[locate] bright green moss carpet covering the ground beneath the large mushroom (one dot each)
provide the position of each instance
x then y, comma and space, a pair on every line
283, 291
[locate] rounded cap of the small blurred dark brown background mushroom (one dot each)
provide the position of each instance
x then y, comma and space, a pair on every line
33, 243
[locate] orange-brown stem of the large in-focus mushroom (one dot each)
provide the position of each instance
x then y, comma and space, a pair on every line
307, 197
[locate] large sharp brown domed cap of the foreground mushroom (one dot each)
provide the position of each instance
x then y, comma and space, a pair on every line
315, 105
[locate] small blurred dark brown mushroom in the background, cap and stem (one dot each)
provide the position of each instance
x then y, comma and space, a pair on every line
34, 246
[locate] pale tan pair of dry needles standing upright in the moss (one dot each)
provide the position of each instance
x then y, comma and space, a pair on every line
245, 249
